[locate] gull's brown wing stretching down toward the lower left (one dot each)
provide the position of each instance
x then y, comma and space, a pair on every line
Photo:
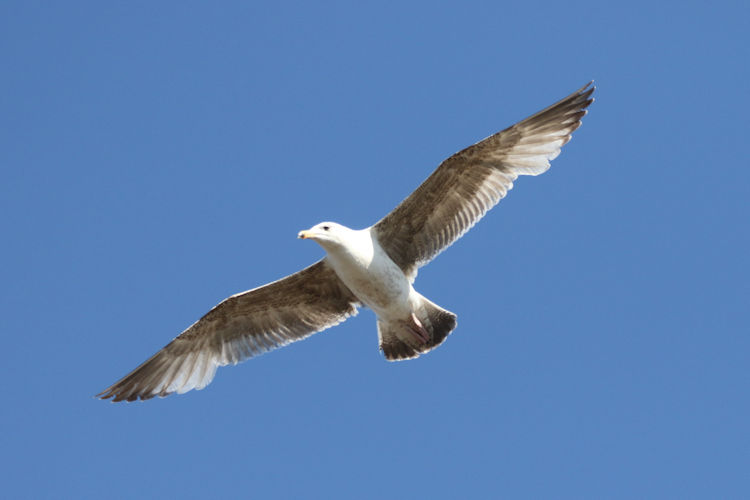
240, 327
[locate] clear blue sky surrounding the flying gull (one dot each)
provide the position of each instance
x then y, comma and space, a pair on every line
158, 157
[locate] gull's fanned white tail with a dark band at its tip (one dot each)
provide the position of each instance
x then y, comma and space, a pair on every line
398, 342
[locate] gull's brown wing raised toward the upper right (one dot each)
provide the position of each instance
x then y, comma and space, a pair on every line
466, 185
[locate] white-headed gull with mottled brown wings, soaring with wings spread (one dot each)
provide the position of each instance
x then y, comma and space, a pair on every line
373, 267
